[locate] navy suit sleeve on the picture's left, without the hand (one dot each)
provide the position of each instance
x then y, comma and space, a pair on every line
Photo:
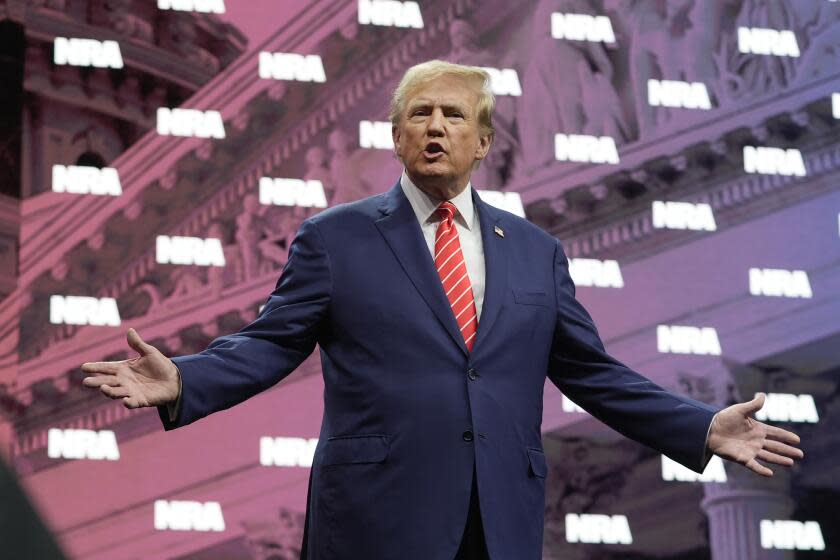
235, 367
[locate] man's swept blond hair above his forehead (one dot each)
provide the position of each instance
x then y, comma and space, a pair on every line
433, 69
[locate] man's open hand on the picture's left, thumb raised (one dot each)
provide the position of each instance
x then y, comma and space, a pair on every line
150, 379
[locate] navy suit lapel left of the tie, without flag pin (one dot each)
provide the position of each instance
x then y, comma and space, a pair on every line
399, 227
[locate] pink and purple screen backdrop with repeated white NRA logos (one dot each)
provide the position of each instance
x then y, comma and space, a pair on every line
157, 157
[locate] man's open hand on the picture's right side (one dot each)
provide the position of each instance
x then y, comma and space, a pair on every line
737, 436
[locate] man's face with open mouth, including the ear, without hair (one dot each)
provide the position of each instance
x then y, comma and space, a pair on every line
437, 137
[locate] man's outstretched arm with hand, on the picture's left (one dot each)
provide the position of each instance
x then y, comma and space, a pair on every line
234, 367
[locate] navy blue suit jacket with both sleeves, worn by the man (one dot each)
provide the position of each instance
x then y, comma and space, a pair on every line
408, 411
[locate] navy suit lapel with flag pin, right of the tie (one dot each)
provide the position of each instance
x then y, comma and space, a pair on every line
495, 267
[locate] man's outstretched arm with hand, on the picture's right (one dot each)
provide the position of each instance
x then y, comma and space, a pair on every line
688, 431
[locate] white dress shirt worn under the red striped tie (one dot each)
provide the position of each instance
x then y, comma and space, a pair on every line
466, 222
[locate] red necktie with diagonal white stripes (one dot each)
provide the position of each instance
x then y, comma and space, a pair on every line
449, 261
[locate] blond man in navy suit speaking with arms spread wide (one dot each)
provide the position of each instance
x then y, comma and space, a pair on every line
438, 318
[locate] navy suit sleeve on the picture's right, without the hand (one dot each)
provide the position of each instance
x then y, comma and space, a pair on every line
623, 399
